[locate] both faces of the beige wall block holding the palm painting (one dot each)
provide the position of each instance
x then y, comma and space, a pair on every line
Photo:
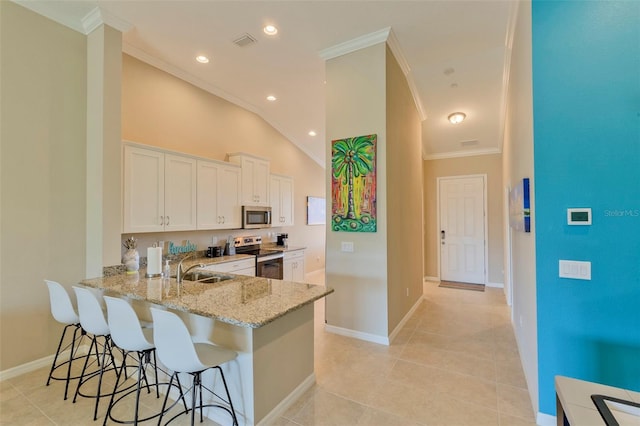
368, 93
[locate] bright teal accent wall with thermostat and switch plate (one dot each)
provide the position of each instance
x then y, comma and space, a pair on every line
586, 109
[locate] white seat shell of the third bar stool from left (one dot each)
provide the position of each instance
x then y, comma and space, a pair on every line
124, 325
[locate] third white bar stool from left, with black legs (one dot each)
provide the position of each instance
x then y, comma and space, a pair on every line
130, 337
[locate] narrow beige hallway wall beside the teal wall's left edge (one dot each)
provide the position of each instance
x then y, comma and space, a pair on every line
517, 164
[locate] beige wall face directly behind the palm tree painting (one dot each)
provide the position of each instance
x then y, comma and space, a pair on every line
356, 105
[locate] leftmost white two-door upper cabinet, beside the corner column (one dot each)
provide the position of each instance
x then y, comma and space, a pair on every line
159, 191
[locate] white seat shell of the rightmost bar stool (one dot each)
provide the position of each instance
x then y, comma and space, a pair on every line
173, 342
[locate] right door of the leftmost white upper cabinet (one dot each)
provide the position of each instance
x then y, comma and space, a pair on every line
180, 193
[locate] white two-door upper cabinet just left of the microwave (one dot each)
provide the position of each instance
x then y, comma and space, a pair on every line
218, 195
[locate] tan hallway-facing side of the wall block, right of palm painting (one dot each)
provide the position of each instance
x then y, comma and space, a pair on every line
404, 174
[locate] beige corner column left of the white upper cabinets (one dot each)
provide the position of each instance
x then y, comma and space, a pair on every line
104, 75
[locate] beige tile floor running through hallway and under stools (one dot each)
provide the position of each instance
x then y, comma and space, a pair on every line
454, 363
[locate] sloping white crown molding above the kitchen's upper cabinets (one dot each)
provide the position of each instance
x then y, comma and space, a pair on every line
183, 75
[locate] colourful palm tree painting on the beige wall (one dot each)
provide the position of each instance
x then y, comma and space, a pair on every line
353, 184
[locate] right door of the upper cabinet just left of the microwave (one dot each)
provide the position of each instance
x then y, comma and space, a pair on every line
229, 203
